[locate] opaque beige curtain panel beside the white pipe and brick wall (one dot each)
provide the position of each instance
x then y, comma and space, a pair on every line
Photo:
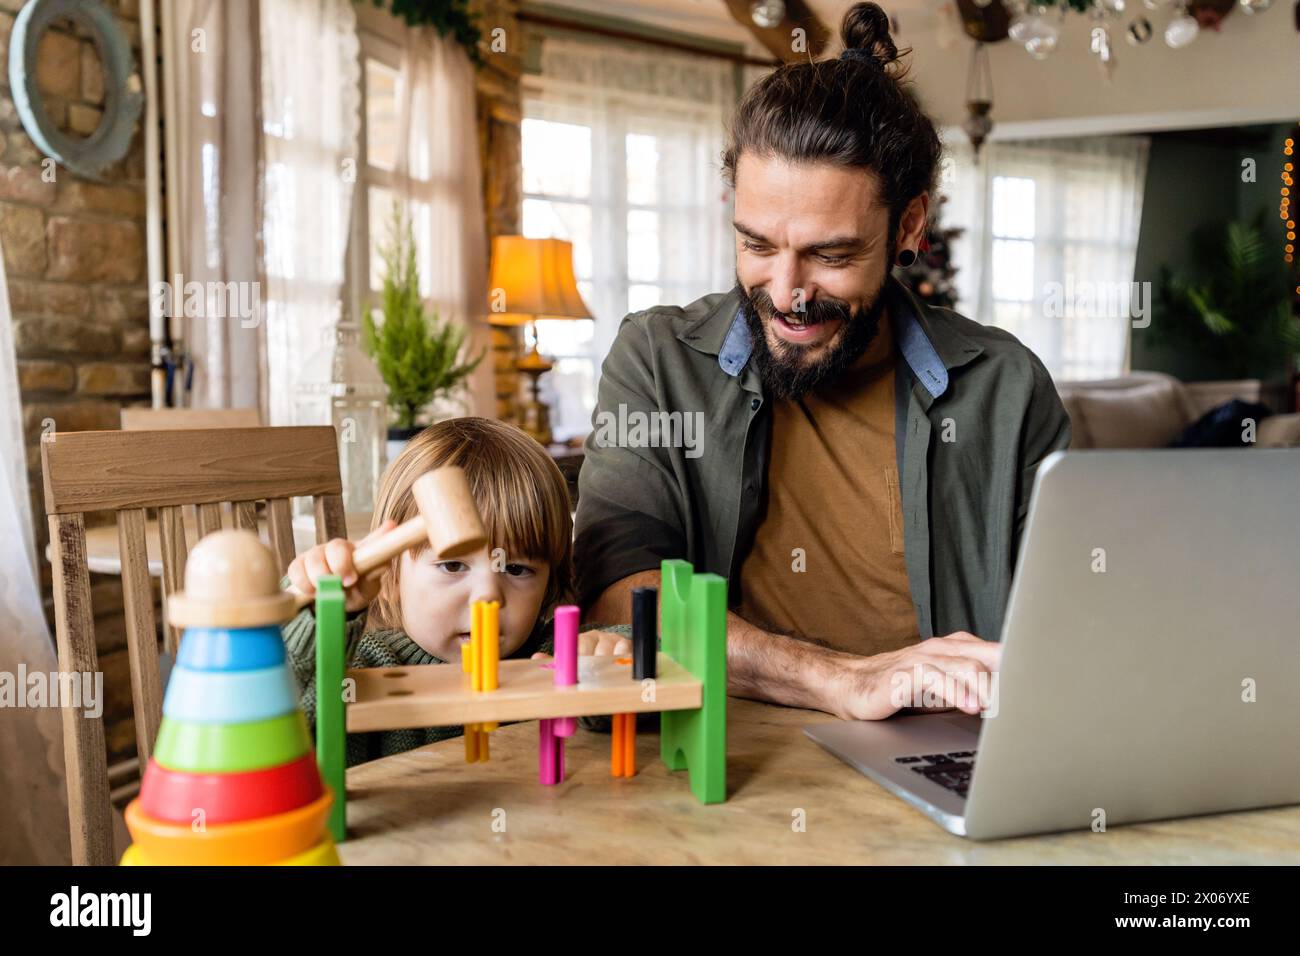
214, 150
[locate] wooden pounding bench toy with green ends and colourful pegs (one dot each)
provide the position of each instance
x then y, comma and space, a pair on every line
687, 687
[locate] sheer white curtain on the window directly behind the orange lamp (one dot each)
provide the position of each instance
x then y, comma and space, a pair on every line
622, 157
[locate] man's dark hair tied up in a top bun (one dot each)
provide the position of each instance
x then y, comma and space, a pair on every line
855, 111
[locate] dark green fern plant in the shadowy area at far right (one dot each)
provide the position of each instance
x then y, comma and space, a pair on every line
1236, 308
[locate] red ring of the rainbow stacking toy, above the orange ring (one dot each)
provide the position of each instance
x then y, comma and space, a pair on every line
174, 795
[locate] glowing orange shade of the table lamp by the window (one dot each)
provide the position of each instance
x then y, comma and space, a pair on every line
532, 279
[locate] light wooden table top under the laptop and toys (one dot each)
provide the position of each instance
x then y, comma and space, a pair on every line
430, 807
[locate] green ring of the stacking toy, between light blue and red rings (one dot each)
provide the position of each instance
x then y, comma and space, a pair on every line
229, 749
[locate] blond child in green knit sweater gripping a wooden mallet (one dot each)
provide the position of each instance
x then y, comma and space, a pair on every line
419, 612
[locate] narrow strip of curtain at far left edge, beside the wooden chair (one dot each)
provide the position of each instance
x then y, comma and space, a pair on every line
33, 802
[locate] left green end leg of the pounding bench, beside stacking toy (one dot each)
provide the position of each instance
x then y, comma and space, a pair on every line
331, 715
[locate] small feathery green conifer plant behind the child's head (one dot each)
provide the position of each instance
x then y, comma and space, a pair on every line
417, 352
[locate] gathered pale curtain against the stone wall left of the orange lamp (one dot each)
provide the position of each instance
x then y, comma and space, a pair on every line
439, 179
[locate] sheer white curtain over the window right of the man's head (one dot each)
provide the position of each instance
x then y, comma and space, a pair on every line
1051, 237
